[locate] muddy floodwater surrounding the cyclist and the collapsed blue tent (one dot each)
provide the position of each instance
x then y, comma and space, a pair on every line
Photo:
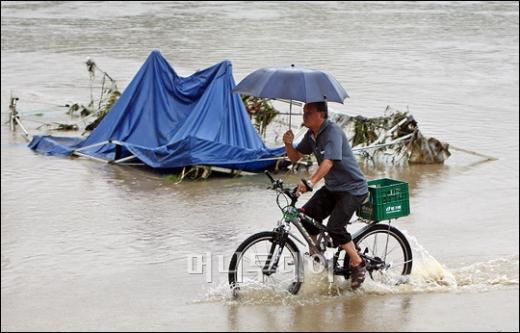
89, 246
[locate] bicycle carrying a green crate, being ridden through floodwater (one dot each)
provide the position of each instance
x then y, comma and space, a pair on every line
262, 254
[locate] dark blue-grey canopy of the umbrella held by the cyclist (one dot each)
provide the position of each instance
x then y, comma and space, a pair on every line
292, 83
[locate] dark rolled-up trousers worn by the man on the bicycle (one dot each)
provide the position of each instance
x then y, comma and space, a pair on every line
340, 206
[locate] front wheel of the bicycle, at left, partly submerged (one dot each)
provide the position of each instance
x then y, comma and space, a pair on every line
264, 261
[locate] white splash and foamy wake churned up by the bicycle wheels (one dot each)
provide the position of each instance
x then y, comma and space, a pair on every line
428, 275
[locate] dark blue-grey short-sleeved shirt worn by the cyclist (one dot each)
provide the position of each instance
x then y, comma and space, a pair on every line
331, 144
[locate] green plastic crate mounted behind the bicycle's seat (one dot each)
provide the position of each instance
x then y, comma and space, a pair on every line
389, 199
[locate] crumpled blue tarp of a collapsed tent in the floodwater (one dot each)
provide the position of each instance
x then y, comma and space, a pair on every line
168, 121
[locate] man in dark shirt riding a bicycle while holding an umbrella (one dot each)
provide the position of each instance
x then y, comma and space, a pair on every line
345, 185
